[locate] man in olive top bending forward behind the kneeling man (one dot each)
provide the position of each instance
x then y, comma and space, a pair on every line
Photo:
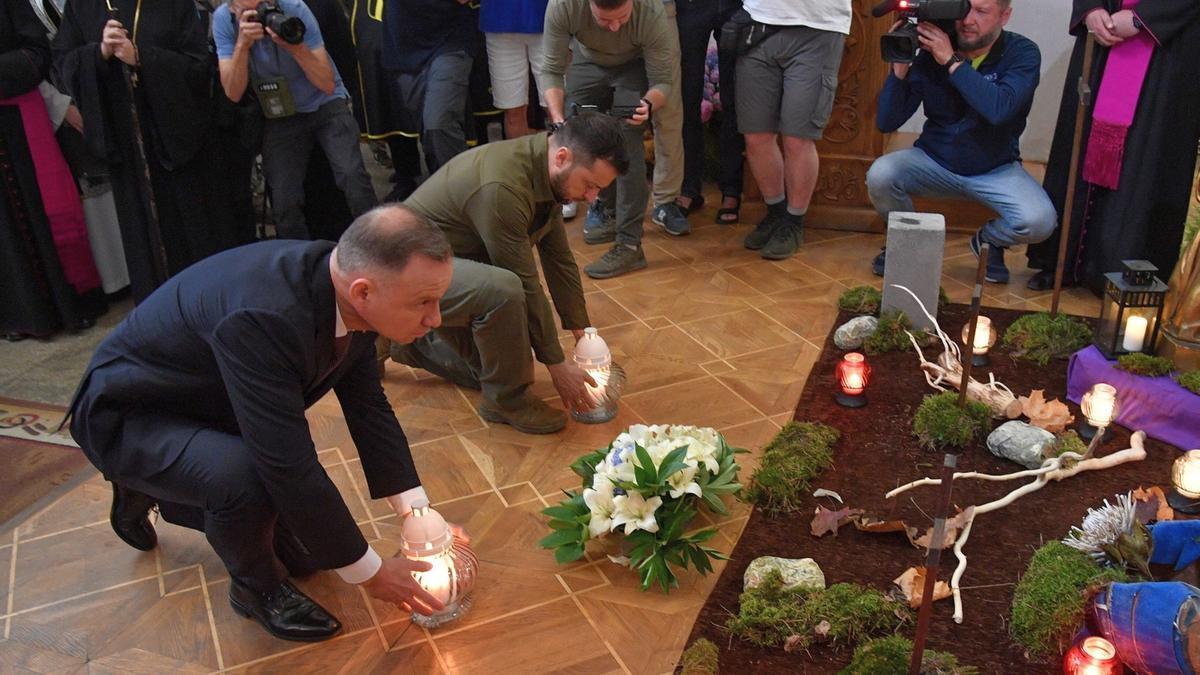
625, 58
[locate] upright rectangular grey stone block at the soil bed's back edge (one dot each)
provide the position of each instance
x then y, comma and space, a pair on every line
916, 247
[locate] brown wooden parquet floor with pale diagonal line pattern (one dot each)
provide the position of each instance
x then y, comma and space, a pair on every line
710, 334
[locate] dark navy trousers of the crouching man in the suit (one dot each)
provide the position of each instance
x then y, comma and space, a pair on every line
212, 486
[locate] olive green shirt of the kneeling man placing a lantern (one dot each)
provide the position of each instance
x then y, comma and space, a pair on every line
495, 205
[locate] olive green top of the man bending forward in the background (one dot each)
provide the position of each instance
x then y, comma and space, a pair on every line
645, 37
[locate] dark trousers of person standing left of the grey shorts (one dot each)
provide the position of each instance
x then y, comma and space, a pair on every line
698, 20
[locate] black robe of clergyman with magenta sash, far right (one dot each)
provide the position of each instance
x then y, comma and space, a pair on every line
1144, 218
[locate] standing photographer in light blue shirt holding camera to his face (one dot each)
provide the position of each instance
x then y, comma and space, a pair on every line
275, 50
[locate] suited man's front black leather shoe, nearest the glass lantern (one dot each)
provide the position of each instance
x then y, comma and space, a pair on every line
285, 612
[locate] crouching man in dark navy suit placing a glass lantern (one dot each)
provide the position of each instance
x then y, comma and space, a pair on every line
197, 403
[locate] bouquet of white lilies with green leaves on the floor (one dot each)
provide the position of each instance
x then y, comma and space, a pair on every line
647, 487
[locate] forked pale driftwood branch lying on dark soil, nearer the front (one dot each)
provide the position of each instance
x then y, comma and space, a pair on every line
1052, 470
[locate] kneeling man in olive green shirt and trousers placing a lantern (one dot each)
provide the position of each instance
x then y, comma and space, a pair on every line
495, 205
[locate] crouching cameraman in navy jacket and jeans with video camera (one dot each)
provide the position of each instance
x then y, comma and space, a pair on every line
977, 98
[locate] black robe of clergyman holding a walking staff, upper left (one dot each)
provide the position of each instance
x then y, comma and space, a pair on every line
172, 100
